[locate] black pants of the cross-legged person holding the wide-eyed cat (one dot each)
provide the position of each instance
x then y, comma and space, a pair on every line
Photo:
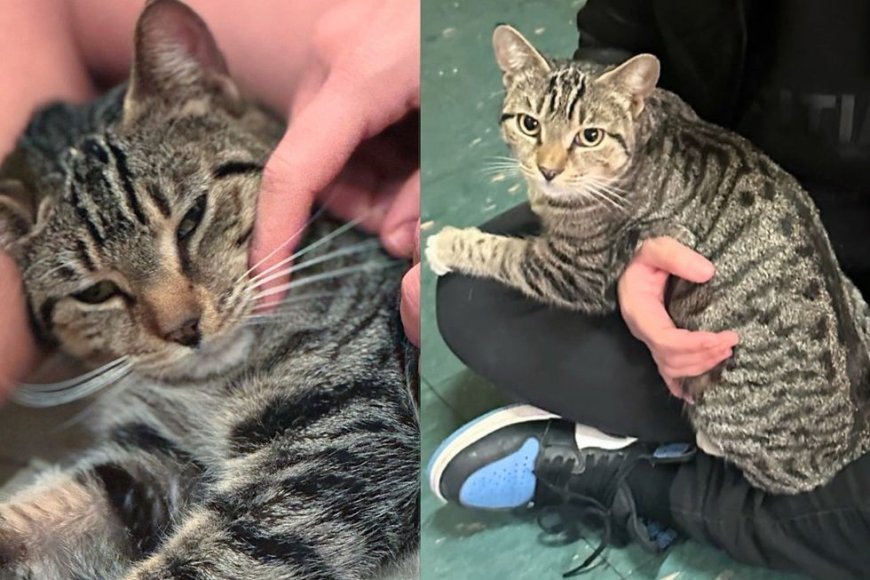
591, 370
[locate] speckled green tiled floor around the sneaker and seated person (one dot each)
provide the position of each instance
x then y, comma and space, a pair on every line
461, 98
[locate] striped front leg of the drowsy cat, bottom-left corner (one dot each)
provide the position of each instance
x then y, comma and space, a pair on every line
94, 520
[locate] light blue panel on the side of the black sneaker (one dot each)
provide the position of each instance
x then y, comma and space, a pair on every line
506, 483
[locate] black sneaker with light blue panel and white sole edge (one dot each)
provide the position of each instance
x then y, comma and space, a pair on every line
569, 474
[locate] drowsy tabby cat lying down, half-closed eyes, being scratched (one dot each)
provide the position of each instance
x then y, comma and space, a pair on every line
226, 449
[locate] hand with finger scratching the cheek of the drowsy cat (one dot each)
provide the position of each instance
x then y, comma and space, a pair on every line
353, 139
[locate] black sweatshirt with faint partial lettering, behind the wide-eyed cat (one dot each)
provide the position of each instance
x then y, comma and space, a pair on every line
791, 75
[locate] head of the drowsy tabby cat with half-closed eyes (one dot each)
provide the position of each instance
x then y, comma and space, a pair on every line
142, 251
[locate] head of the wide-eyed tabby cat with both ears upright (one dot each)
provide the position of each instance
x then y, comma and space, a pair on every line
569, 131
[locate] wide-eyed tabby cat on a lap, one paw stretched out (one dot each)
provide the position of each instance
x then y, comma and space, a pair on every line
610, 161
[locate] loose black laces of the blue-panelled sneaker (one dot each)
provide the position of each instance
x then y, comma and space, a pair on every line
575, 507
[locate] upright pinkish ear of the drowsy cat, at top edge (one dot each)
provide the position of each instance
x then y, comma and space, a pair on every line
176, 62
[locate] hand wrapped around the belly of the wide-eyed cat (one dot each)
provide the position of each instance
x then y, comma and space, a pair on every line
678, 353
